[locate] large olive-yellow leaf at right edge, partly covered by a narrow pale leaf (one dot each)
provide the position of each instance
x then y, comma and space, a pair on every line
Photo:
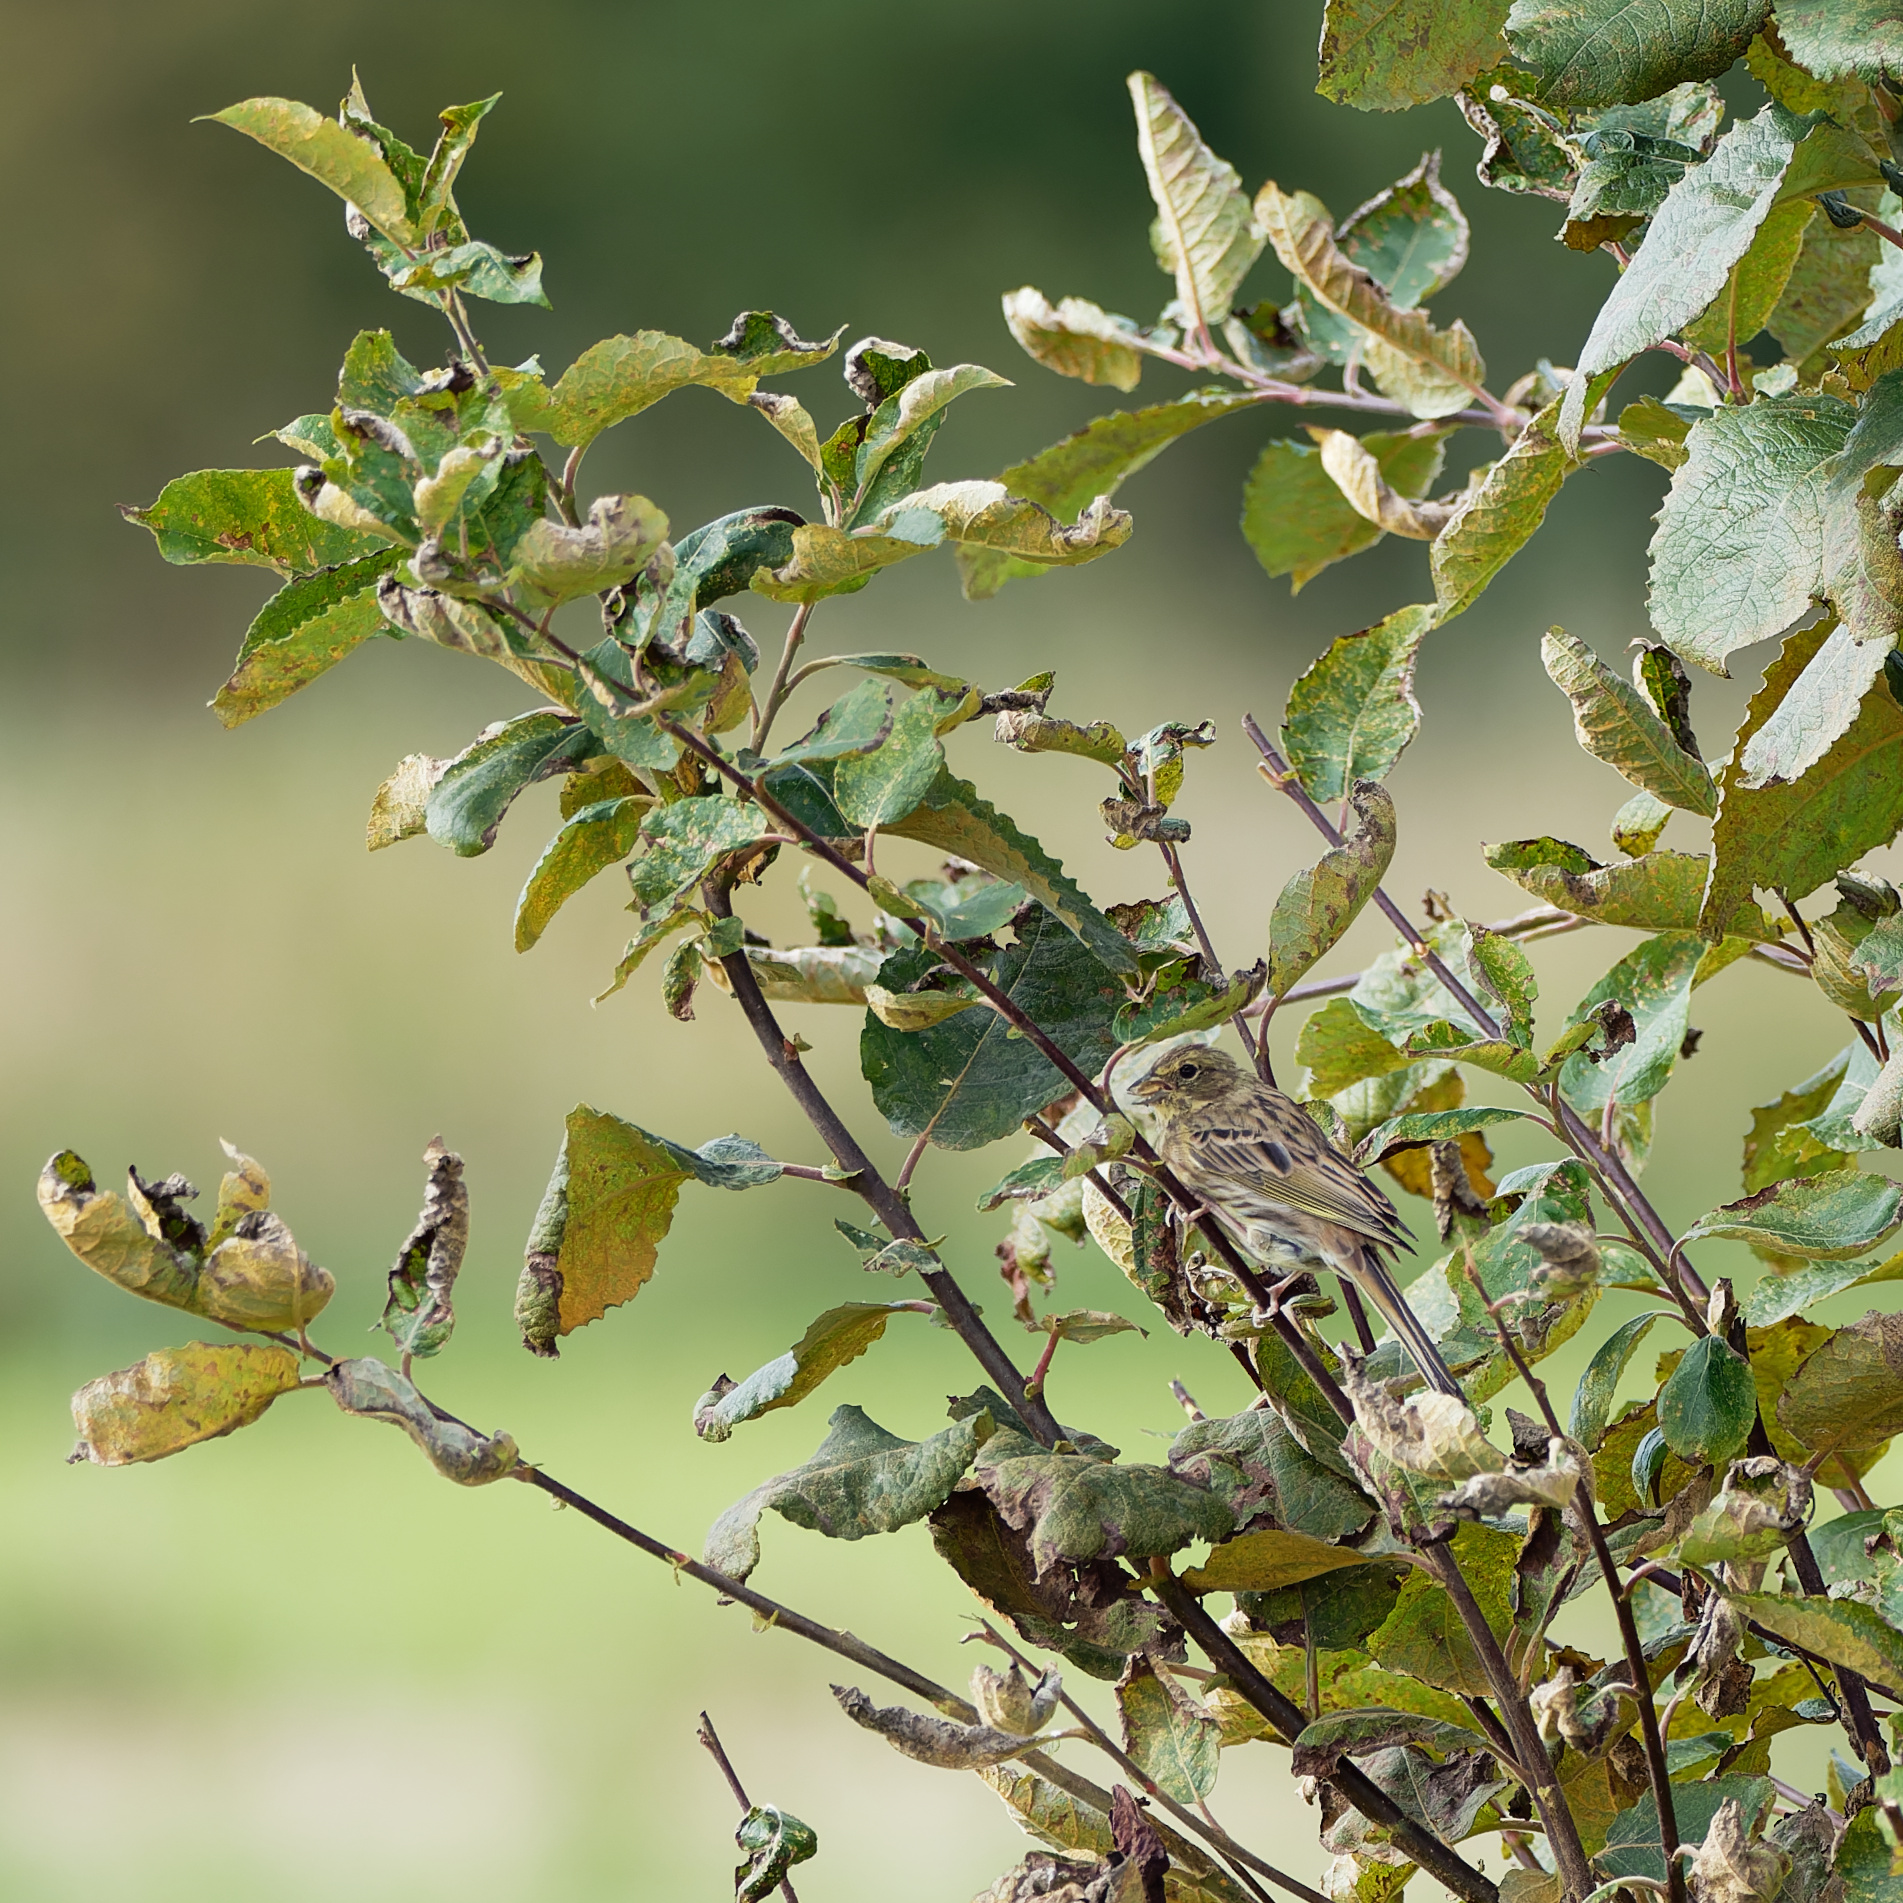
1792, 838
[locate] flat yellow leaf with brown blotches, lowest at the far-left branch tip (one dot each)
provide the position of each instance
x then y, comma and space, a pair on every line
178, 1398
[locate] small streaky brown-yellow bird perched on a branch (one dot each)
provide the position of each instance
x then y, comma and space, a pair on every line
1276, 1183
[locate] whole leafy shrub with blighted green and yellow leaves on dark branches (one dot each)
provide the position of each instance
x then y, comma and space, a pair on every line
1002, 1000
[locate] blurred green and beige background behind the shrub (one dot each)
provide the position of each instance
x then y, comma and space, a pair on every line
294, 1662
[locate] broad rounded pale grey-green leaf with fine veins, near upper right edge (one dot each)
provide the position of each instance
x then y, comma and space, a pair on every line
1738, 549
